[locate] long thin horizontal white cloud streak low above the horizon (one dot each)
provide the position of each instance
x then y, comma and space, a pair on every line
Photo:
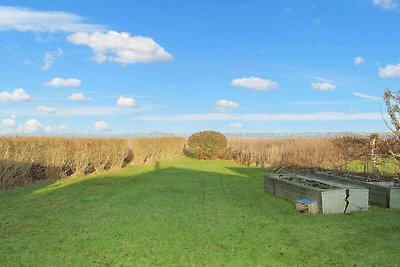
322, 116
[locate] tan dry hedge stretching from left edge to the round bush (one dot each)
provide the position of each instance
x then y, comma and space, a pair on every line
27, 159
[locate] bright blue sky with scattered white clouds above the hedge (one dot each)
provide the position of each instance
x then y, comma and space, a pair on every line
93, 68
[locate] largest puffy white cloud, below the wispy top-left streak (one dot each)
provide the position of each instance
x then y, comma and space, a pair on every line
121, 47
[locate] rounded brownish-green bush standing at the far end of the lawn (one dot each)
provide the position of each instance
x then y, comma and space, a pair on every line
207, 144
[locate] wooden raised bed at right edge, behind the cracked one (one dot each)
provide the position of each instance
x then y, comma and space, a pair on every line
381, 193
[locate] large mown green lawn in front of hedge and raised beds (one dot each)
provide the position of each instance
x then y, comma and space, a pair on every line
183, 212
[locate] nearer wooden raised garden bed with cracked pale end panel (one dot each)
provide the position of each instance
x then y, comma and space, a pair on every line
331, 198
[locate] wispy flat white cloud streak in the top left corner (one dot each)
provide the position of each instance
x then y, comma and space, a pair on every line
24, 19
